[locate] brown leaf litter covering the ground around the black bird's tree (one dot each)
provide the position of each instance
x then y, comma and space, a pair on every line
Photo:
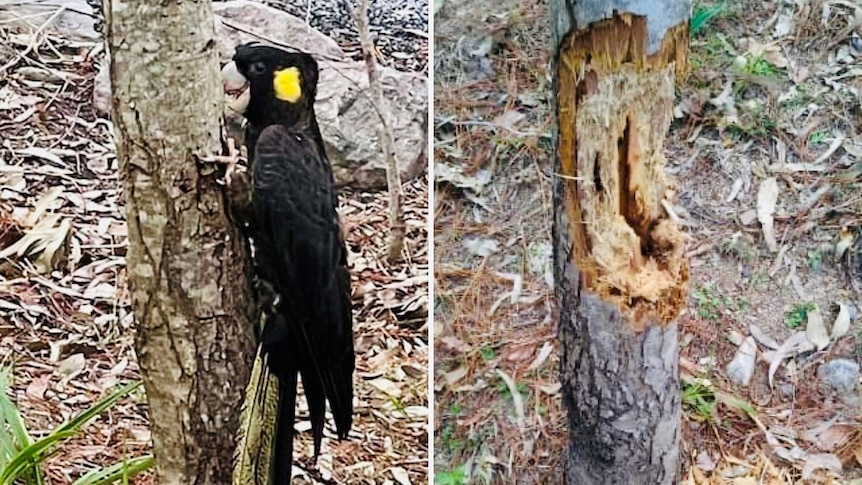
65, 317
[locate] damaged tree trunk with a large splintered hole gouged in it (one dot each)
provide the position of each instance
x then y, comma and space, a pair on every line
621, 273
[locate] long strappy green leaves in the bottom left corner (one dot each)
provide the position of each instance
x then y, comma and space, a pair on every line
21, 455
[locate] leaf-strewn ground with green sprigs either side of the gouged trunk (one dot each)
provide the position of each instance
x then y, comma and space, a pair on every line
773, 95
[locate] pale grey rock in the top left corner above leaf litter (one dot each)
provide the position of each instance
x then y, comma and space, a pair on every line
76, 22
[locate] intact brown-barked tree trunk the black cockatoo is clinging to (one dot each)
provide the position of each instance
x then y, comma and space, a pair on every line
192, 303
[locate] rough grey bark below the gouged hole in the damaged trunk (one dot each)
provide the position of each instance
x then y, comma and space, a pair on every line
620, 387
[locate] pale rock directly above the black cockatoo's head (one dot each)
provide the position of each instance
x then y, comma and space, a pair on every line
235, 19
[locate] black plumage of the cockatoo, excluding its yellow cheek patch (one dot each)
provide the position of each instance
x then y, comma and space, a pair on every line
299, 250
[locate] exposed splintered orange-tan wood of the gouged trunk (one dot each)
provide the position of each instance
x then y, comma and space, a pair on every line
615, 106
